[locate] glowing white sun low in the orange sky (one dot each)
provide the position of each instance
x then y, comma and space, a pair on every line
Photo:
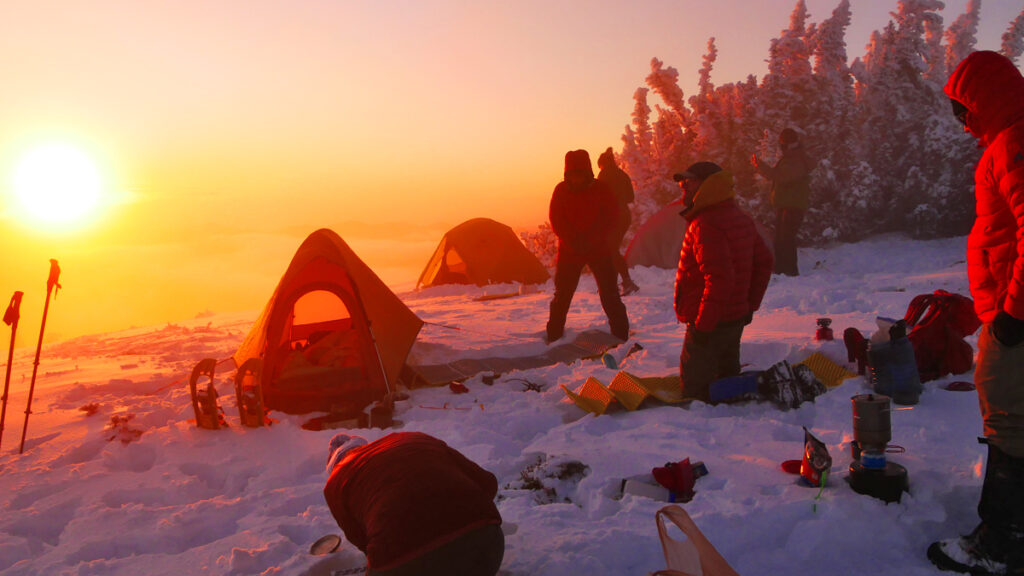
58, 184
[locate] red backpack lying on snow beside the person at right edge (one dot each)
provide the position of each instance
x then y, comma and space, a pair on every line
938, 324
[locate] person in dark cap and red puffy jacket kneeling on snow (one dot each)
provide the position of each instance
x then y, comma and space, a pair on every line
724, 271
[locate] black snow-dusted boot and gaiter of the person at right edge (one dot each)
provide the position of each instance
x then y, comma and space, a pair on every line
997, 546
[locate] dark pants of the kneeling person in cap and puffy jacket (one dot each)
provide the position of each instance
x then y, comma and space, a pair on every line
716, 356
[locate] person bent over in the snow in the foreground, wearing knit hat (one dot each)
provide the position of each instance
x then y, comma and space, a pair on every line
415, 507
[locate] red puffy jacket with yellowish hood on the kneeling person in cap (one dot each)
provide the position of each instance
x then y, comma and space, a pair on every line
724, 265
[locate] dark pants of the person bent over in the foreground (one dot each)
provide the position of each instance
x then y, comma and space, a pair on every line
478, 553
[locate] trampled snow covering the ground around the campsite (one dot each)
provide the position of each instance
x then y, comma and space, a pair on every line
166, 499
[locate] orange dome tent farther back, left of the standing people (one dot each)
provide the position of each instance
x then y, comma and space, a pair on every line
482, 252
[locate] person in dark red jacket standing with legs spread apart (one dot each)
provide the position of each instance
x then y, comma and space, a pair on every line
584, 213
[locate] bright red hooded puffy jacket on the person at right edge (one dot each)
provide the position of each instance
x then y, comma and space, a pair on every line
993, 90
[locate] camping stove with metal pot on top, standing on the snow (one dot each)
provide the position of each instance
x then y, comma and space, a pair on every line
870, 473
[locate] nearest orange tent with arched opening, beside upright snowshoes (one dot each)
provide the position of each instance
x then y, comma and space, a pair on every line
333, 338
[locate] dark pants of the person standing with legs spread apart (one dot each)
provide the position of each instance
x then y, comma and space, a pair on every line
568, 278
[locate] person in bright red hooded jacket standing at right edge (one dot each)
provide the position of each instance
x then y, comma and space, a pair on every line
988, 96
